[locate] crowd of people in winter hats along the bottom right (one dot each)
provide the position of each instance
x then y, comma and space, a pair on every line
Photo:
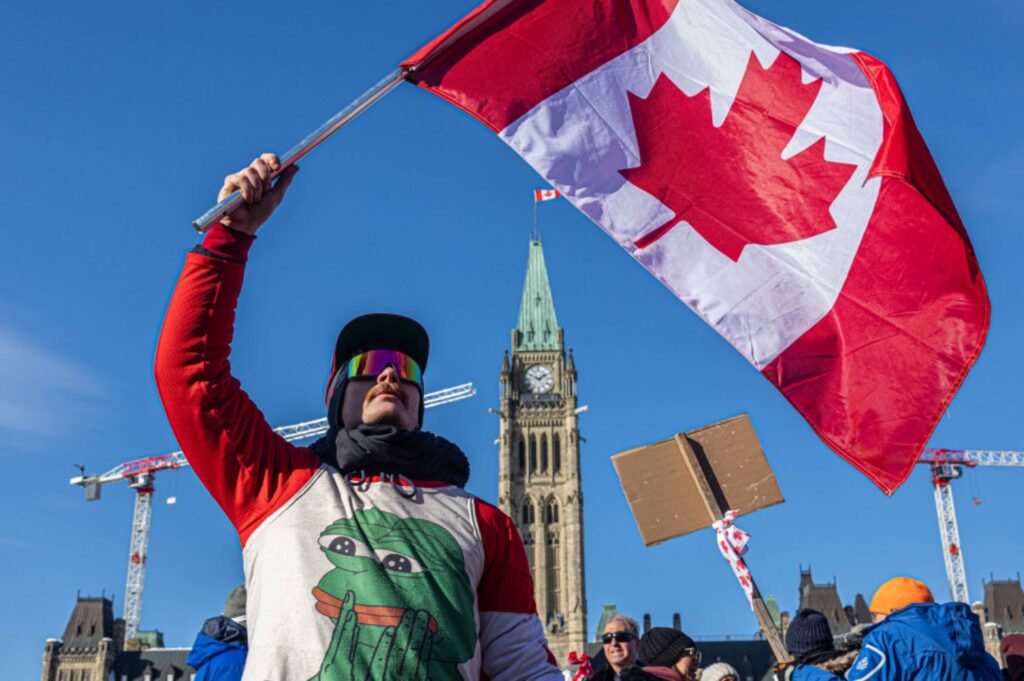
913, 639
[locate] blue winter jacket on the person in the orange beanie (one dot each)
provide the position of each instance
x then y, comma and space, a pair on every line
926, 642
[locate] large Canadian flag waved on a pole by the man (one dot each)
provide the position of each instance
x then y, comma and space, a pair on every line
778, 187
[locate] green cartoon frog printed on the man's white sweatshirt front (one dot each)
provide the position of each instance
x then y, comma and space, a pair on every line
400, 599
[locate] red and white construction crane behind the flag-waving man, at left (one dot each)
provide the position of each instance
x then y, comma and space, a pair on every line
141, 475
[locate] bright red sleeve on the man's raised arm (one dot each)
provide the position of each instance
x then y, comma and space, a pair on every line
248, 469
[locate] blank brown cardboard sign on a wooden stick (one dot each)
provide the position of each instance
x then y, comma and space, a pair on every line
686, 484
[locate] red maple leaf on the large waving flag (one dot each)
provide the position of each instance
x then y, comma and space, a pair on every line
731, 183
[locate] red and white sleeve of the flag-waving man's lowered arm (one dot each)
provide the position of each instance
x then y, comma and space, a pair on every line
513, 642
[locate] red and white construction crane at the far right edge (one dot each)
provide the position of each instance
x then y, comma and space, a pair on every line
948, 465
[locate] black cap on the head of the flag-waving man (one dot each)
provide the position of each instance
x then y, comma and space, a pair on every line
380, 331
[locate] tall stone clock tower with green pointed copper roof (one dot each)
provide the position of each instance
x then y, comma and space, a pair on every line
539, 485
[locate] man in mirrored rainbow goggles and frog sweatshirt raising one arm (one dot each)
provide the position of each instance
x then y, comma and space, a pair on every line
365, 558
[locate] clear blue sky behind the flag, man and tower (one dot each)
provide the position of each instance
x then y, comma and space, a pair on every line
119, 121
